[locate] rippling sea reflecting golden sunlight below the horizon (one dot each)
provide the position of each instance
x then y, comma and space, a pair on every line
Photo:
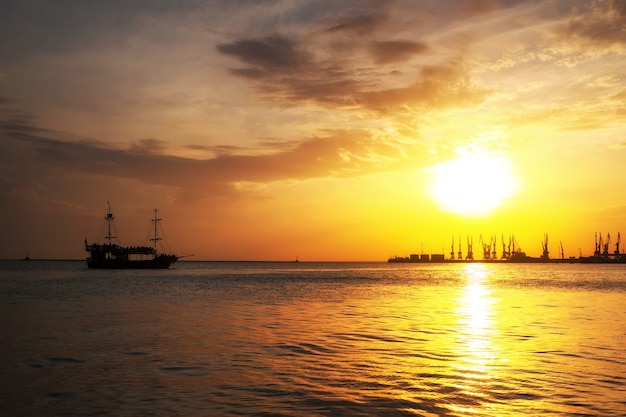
312, 339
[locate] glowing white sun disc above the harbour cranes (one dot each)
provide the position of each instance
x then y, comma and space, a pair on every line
474, 184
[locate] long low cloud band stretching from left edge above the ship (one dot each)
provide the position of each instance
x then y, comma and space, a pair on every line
333, 153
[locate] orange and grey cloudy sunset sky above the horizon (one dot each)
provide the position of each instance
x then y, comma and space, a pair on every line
319, 130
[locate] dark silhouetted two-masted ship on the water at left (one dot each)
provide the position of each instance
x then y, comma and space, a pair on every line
110, 255
